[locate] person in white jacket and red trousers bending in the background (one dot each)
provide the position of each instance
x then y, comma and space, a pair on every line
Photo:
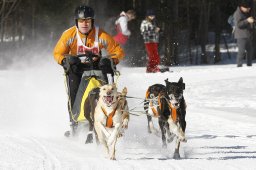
121, 24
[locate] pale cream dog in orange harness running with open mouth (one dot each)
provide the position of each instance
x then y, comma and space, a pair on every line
110, 117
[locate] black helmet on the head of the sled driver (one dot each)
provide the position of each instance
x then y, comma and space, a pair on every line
83, 12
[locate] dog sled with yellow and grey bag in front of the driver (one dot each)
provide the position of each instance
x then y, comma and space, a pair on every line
92, 79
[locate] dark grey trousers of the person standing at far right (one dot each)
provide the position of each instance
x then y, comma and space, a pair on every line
244, 45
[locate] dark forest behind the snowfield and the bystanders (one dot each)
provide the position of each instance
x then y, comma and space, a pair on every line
193, 32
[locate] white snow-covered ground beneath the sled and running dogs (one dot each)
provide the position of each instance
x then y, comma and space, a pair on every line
221, 121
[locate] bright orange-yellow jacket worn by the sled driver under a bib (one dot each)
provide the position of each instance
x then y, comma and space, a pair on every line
67, 44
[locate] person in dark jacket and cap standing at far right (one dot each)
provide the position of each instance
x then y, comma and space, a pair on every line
243, 32
